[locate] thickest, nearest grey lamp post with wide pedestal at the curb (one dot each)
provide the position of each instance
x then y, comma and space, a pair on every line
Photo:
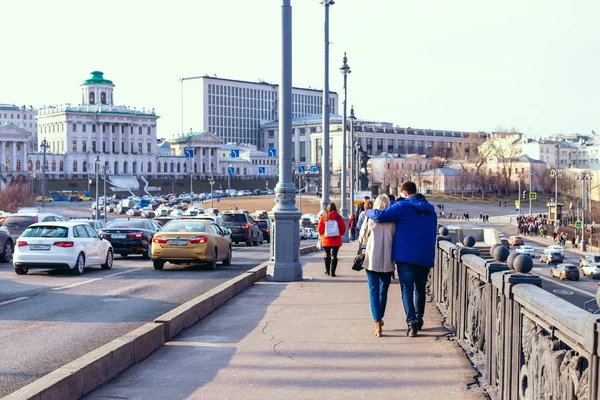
284, 264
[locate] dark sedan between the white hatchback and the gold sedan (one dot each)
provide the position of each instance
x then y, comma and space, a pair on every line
131, 236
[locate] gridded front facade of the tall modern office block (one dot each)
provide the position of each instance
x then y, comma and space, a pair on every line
234, 109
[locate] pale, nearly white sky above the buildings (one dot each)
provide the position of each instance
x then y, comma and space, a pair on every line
461, 65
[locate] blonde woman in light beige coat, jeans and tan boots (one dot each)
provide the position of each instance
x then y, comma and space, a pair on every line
378, 263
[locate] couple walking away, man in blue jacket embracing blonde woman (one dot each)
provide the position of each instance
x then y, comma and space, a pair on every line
402, 234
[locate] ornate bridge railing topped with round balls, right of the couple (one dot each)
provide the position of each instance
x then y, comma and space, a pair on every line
526, 342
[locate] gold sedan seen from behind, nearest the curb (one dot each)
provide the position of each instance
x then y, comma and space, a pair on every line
190, 242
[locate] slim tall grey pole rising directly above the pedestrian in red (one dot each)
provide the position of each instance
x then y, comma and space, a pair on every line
325, 168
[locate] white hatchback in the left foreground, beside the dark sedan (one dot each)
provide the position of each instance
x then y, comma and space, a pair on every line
61, 245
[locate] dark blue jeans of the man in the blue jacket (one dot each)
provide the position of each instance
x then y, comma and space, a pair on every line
413, 280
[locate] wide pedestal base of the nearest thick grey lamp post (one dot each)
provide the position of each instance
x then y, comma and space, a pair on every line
284, 265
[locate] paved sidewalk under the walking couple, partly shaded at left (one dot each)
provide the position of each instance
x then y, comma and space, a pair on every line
303, 340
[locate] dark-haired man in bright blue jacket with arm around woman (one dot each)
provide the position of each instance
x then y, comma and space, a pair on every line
414, 248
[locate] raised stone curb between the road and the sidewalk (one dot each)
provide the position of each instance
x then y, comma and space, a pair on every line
79, 377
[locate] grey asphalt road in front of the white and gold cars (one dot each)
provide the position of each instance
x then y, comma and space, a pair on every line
49, 318
